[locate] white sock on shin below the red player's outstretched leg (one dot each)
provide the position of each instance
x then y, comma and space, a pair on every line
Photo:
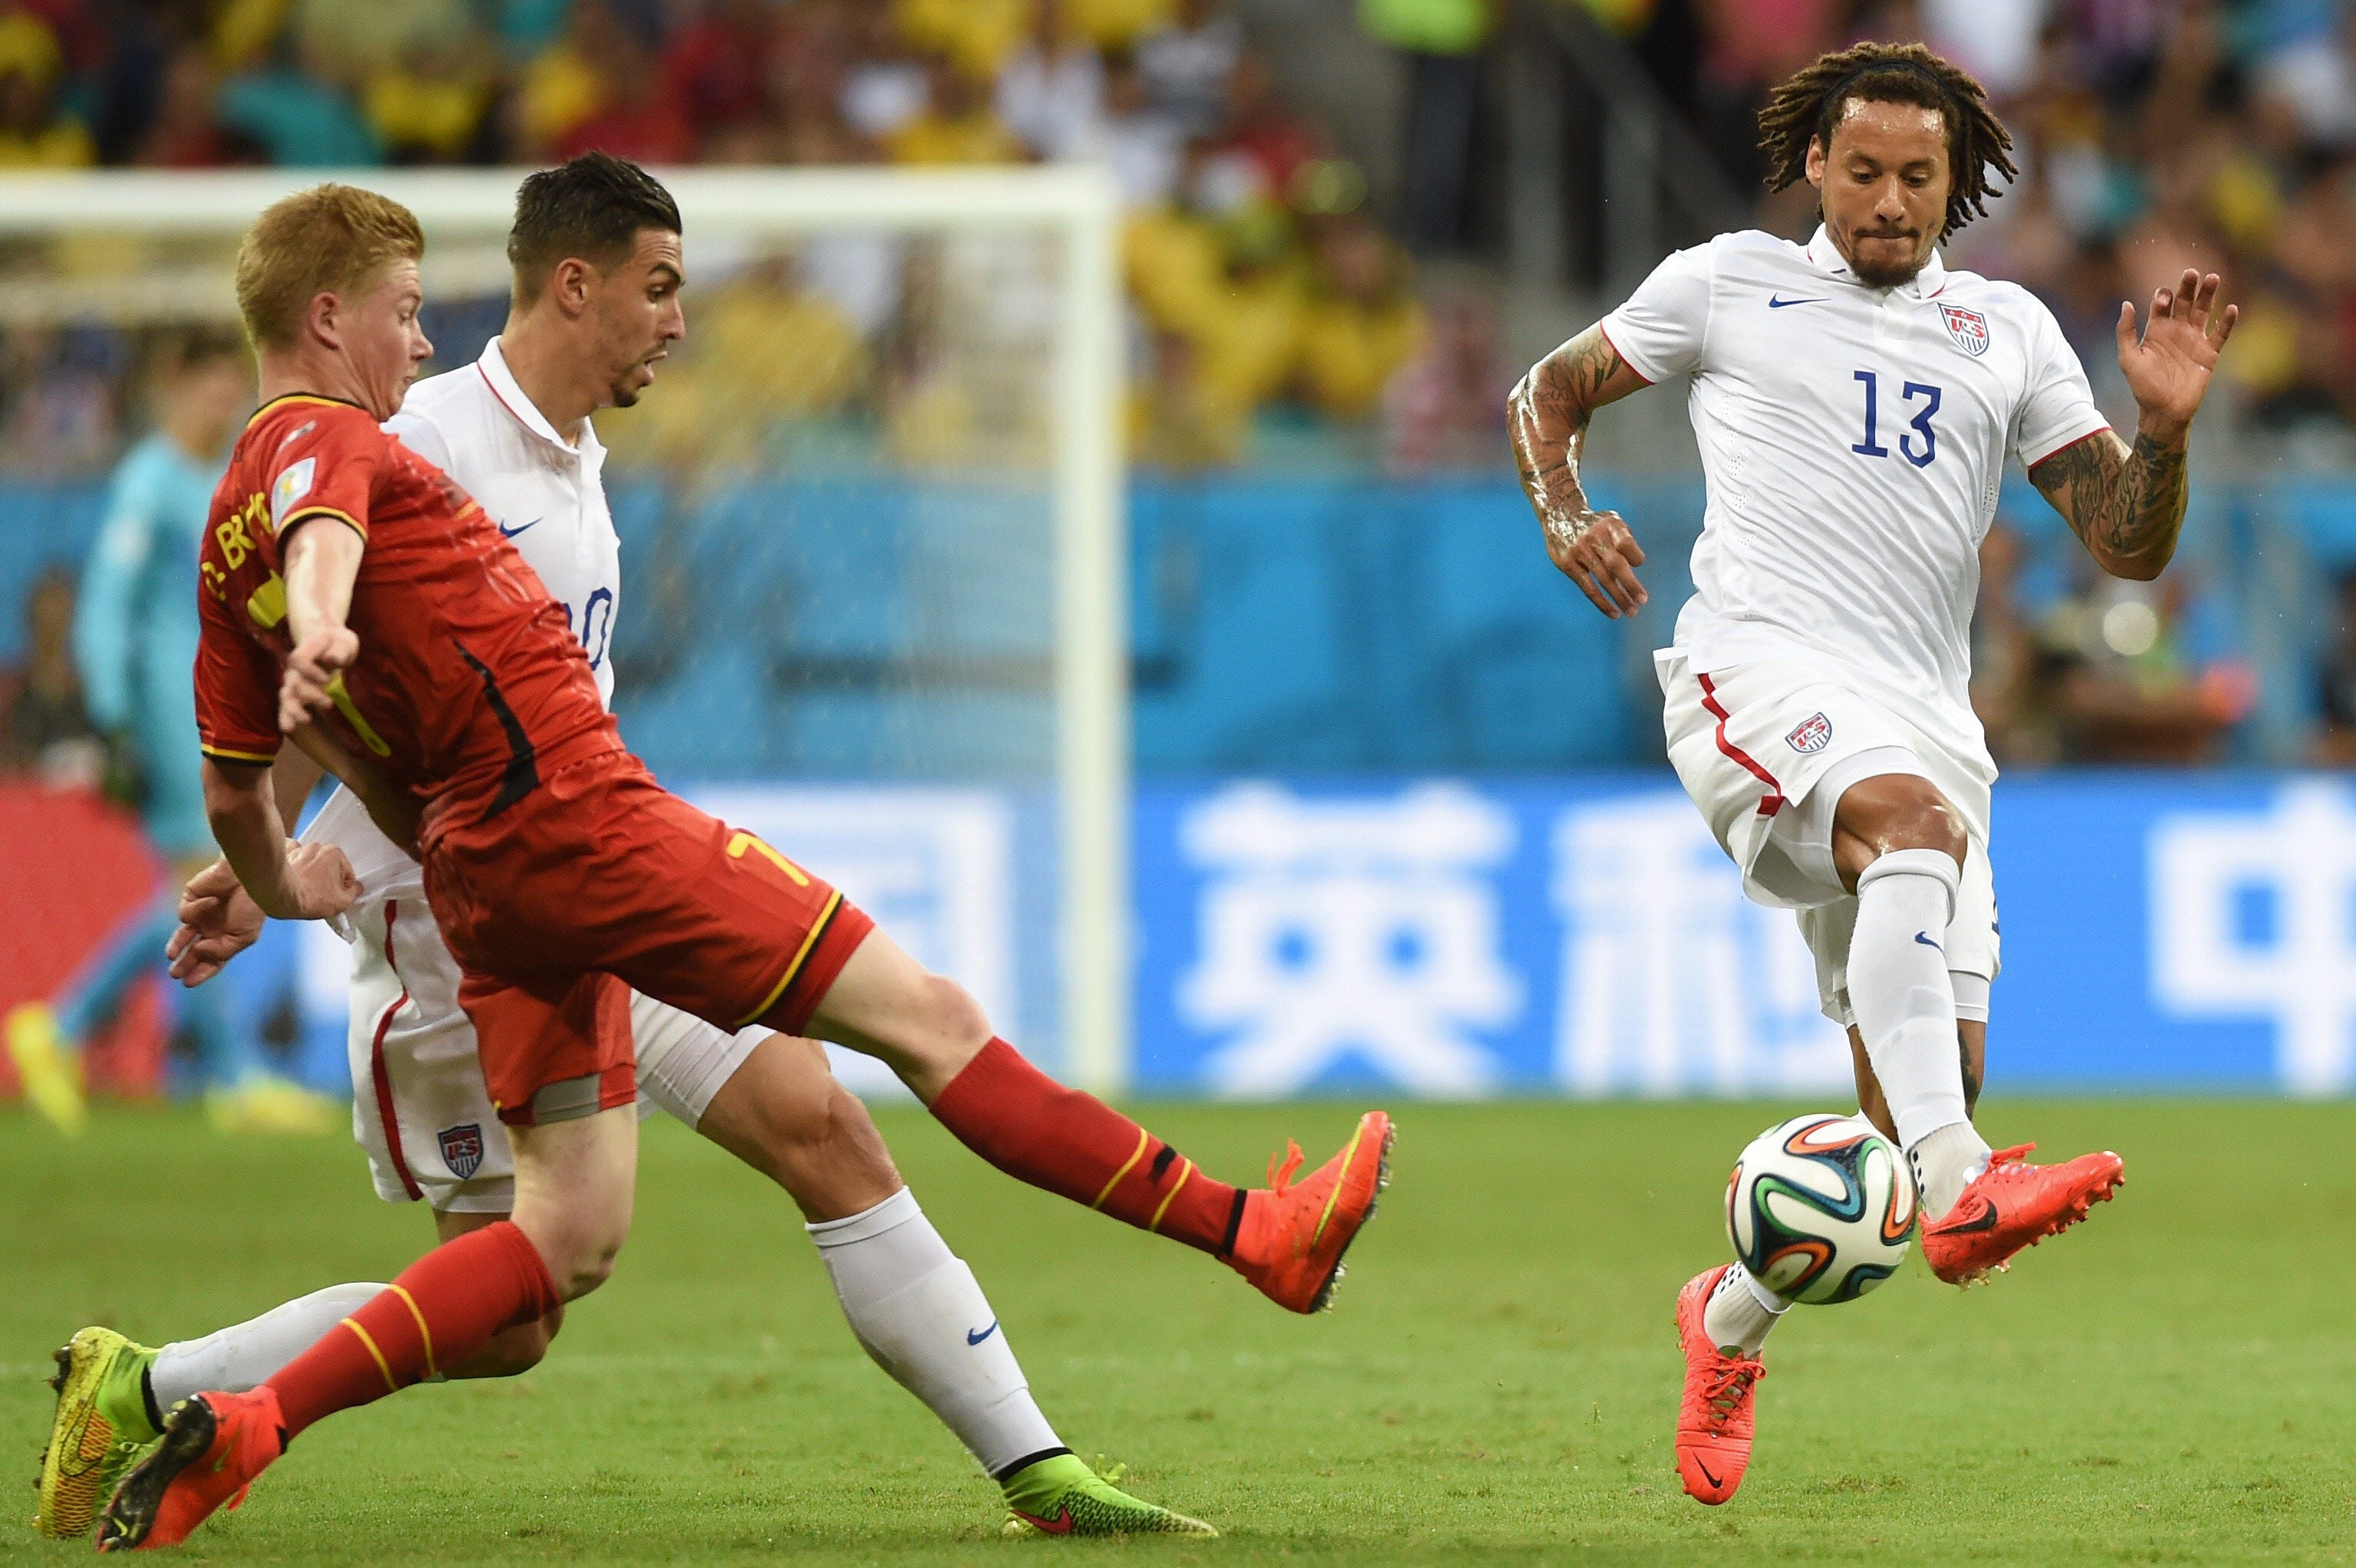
925, 1320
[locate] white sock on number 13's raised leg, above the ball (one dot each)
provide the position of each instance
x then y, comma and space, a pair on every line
1905, 1011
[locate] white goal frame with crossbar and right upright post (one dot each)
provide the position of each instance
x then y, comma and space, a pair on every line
475, 208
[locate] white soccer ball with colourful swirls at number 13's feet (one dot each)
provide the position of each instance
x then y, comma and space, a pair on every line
1820, 1209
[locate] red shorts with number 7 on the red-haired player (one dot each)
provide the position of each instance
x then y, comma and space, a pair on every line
597, 884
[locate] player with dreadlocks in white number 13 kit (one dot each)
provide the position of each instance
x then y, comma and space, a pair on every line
1855, 406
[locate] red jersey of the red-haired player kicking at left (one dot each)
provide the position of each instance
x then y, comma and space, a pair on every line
470, 684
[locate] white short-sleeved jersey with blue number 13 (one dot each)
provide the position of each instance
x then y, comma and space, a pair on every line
1853, 441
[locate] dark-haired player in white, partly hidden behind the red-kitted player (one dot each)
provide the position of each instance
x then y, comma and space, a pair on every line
597, 277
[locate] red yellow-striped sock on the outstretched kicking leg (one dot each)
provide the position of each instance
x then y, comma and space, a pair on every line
1080, 1148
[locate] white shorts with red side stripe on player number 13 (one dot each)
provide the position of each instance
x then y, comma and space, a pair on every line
1766, 752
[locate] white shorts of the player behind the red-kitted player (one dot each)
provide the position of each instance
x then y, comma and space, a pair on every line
418, 1101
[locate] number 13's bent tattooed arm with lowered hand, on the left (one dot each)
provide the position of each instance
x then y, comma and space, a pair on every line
1549, 420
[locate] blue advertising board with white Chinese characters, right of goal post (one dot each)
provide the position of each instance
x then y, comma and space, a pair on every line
1584, 936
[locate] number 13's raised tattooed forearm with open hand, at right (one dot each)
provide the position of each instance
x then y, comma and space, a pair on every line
2129, 503
